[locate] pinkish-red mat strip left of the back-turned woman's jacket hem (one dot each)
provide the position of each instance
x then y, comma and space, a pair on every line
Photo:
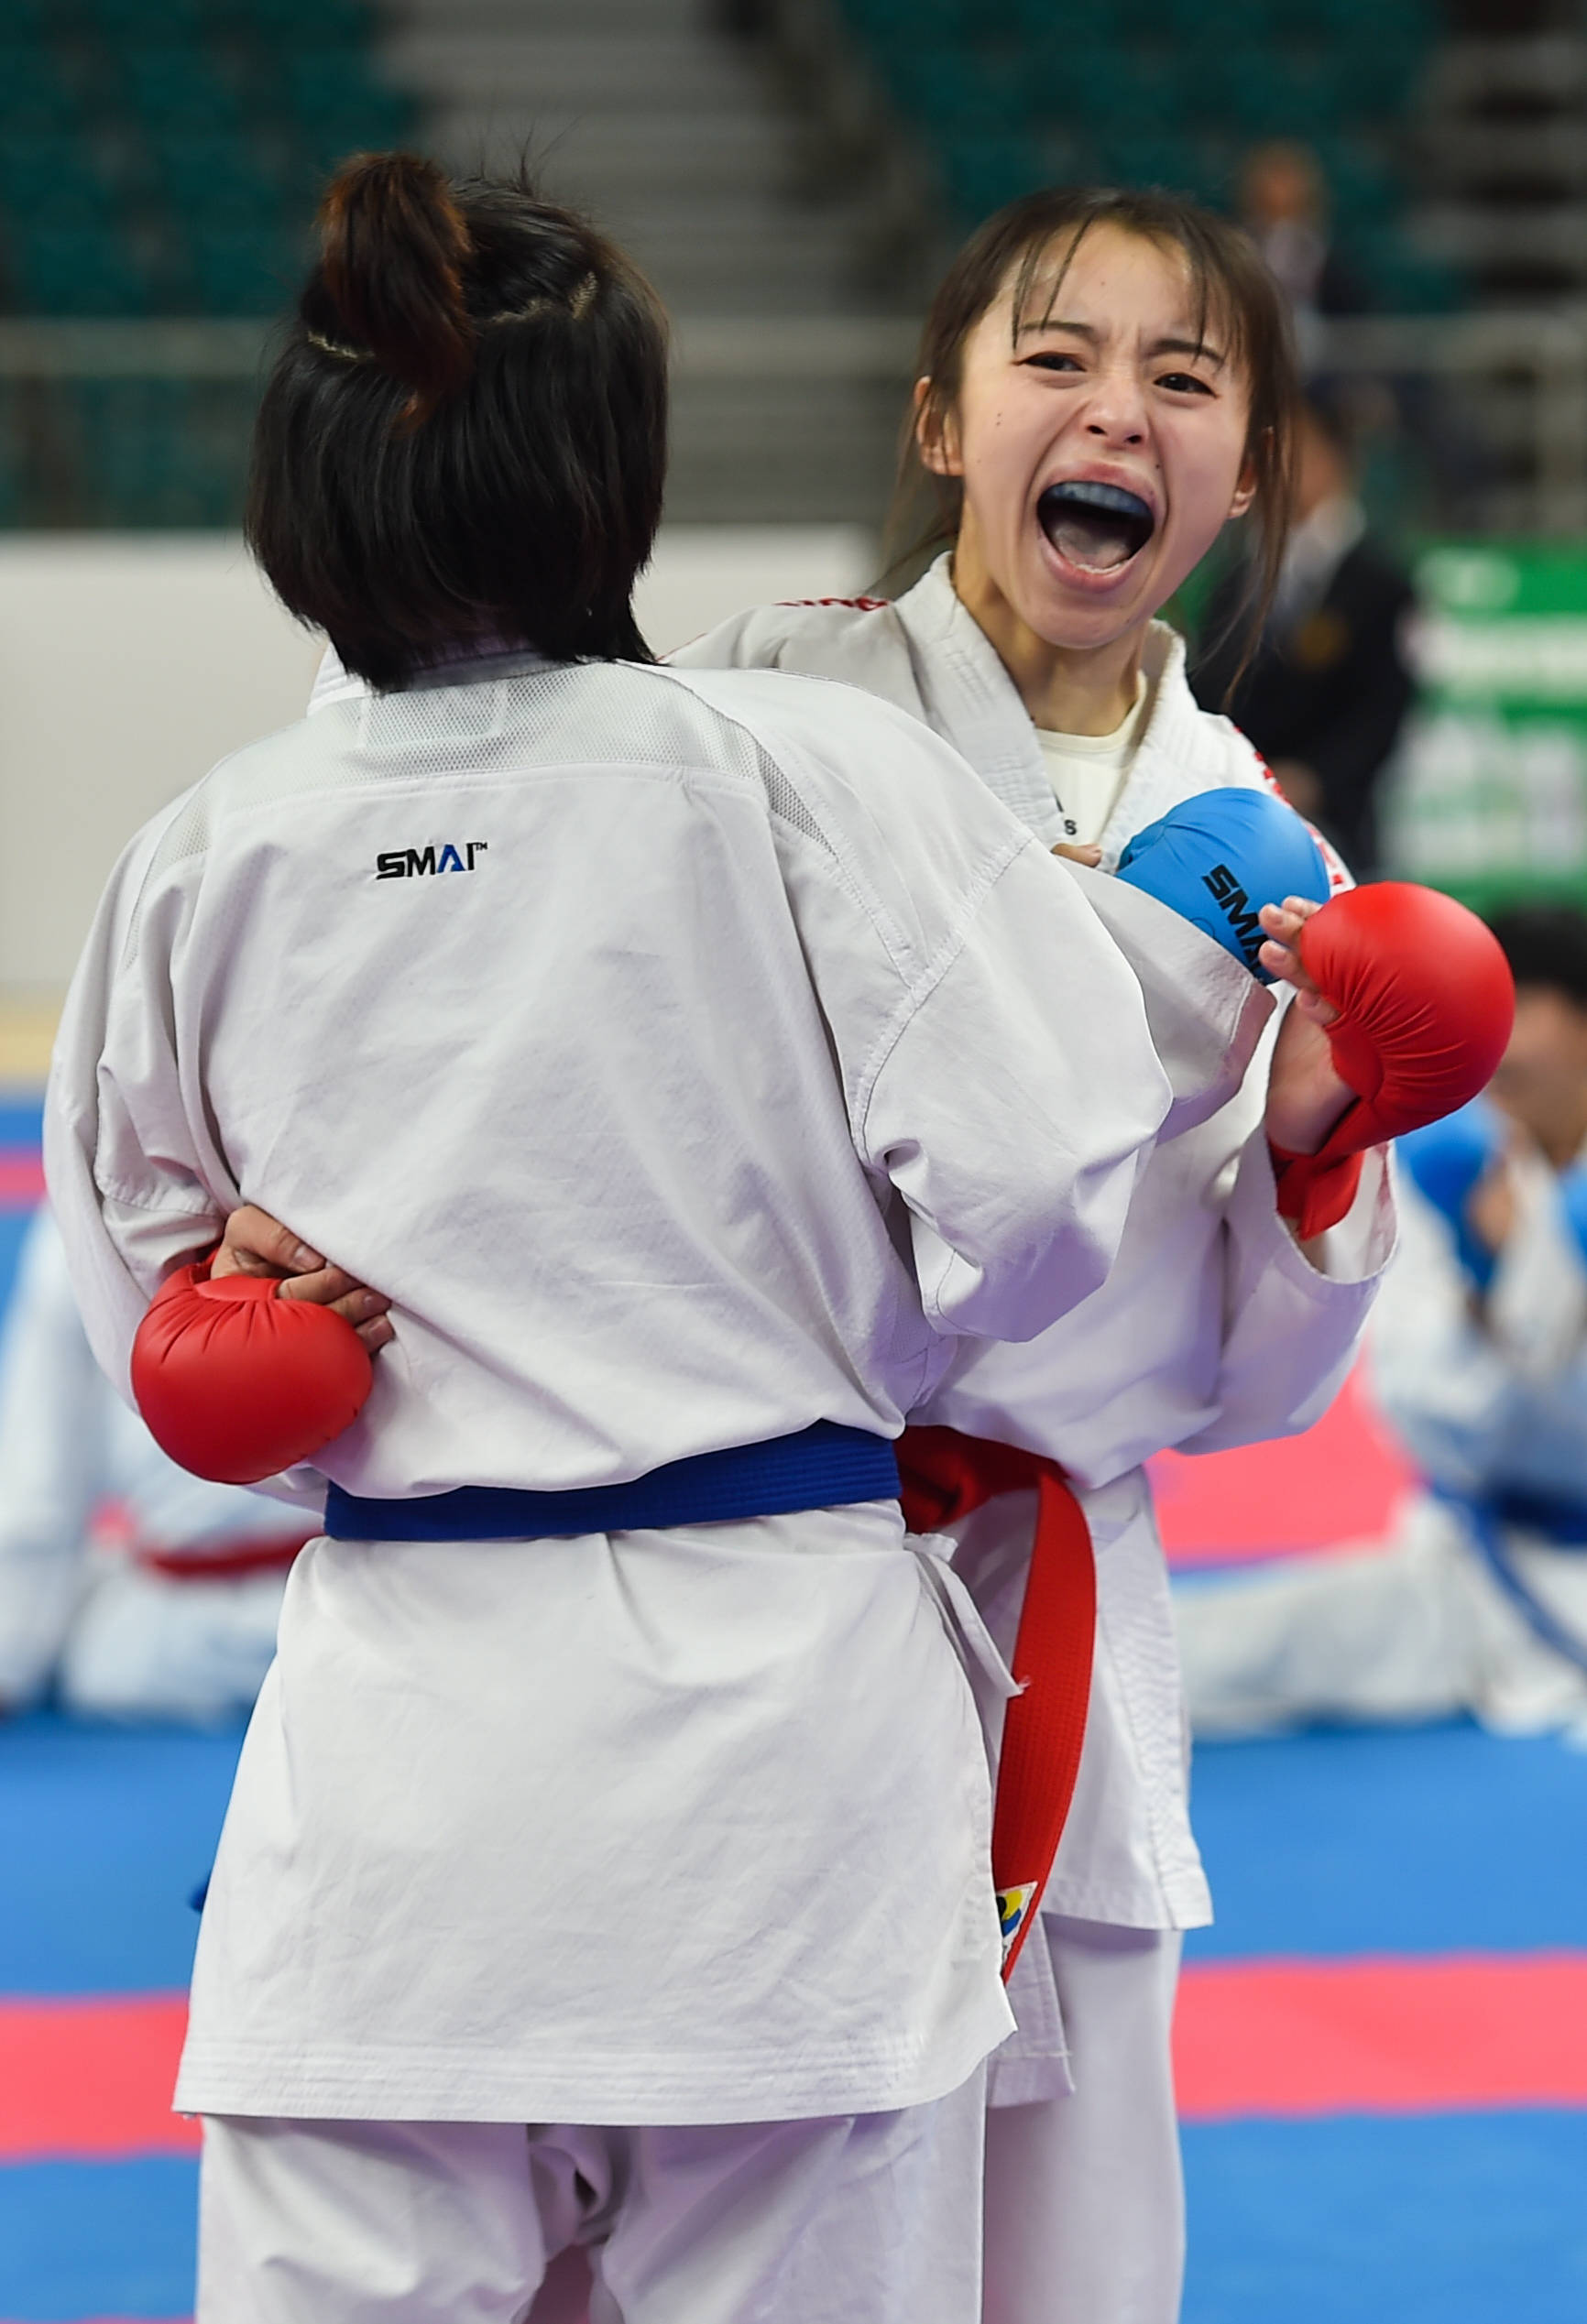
92, 2079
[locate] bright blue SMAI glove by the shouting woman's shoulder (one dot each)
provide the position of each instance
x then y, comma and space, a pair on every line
1219, 859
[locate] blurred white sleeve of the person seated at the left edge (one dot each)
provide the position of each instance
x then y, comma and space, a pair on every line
52, 1465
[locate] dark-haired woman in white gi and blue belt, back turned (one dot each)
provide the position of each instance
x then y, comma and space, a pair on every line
691, 1059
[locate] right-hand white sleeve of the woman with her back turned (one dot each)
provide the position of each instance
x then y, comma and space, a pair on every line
1014, 1107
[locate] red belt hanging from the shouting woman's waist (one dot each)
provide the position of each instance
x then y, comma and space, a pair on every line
947, 1477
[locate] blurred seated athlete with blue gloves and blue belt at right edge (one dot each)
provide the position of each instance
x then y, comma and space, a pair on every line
1479, 1602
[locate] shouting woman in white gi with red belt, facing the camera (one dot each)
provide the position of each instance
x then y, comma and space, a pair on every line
1105, 382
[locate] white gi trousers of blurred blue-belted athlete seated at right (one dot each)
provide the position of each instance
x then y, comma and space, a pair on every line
1409, 1630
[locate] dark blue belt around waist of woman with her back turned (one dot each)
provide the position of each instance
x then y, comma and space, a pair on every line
821, 1468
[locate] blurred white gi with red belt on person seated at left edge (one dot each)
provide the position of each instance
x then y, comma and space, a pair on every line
120, 1635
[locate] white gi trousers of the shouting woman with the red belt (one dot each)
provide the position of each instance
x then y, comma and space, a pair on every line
1084, 2195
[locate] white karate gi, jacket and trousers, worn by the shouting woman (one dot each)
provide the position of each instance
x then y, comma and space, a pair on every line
1212, 1330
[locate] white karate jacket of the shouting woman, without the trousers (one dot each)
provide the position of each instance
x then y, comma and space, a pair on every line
1212, 1330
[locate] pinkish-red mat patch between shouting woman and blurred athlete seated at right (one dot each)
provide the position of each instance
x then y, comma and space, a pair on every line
1337, 1484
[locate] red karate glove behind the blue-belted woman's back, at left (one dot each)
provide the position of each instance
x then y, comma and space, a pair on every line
238, 1384
